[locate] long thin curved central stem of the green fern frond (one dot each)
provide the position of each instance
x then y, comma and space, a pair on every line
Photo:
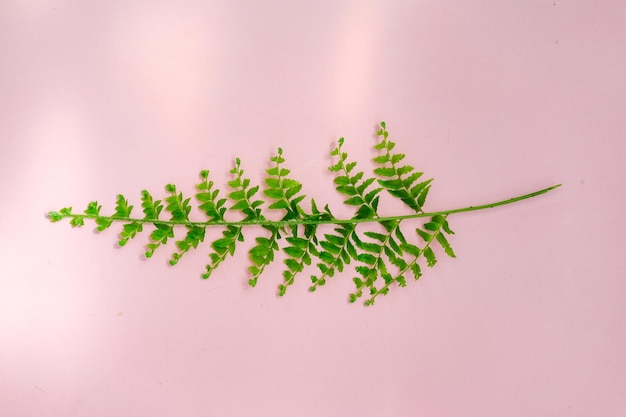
280, 223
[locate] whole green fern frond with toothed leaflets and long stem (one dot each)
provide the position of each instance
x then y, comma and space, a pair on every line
383, 259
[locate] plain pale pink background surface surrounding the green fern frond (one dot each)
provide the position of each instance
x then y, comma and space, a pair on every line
491, 98
